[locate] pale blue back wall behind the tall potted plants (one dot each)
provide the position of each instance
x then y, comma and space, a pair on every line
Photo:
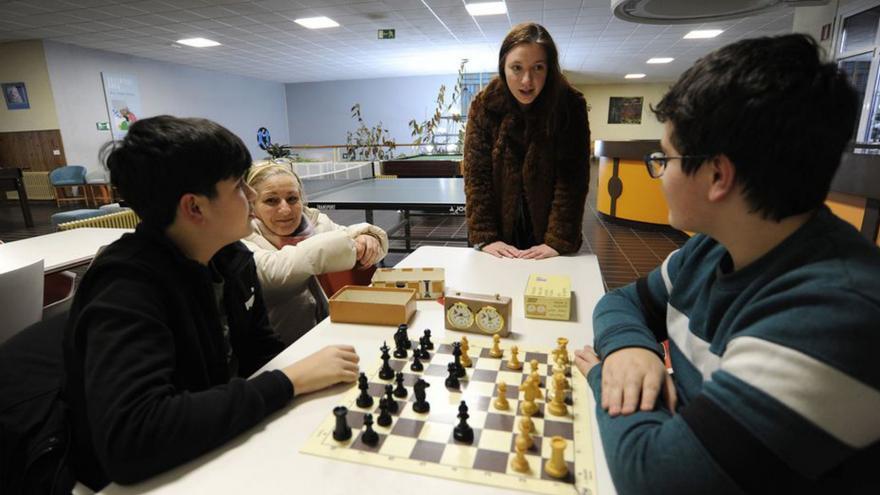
320, 113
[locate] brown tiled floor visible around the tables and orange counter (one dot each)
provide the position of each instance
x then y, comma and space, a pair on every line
625, 252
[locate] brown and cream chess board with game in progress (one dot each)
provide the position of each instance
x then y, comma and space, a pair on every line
423, 443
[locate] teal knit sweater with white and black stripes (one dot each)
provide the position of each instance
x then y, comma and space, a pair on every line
775, 365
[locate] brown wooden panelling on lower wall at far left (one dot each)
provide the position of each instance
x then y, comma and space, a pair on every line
32, 150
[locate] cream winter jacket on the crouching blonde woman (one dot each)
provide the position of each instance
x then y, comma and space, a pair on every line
294, 298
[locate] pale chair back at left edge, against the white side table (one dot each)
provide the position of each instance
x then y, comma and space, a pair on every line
21, 295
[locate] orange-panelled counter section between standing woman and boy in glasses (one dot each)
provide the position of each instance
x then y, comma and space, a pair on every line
625, 190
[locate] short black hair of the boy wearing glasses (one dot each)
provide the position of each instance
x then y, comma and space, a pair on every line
781, 115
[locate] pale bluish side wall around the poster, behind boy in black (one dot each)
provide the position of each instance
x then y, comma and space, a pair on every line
238, 103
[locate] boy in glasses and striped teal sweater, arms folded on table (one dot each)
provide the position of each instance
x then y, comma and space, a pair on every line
772, 311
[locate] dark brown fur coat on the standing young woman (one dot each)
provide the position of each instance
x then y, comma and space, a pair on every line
507, 152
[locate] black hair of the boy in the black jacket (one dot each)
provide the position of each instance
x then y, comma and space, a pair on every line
162, 158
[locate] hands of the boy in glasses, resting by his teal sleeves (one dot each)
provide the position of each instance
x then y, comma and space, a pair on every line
632, 378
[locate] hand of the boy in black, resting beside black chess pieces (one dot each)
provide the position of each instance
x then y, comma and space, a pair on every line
329, 366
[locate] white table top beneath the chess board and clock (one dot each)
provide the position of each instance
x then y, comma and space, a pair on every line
266, 459
